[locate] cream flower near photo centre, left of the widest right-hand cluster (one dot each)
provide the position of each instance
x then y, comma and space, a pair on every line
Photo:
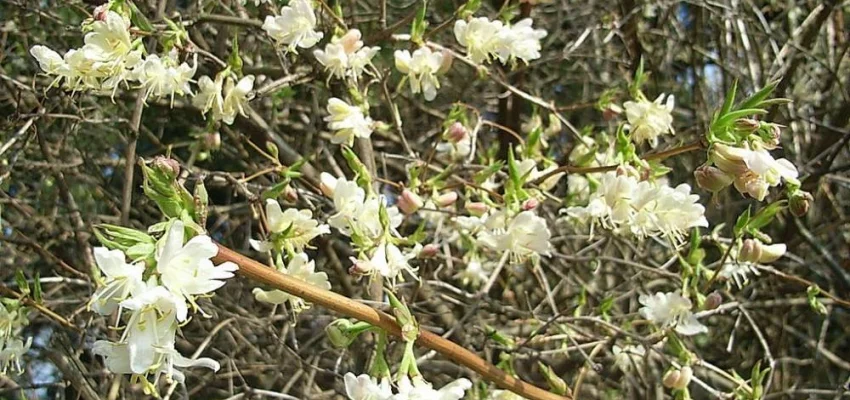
526, 234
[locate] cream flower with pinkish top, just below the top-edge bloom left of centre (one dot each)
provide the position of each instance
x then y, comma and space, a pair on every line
346, 56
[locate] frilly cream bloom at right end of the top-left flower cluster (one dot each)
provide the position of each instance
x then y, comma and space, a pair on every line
163, 77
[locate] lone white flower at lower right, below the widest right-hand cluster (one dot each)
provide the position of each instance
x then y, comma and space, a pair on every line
671, 310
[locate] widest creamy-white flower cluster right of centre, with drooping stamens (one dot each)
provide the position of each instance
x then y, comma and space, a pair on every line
625, 205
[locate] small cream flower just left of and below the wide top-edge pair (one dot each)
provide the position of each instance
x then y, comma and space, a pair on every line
421, 69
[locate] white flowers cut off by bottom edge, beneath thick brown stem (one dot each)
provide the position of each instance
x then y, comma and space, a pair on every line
365, 387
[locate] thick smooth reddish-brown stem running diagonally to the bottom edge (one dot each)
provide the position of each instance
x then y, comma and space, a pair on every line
259, 273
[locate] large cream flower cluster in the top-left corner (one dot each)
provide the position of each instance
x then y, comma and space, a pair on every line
110, 57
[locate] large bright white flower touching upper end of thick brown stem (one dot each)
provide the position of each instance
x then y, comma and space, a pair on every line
187, 270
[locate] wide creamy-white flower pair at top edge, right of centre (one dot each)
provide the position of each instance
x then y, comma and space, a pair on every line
485, 40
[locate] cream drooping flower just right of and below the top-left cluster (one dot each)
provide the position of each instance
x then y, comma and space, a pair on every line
223, 98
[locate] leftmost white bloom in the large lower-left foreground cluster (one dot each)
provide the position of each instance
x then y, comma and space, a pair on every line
120, 280
